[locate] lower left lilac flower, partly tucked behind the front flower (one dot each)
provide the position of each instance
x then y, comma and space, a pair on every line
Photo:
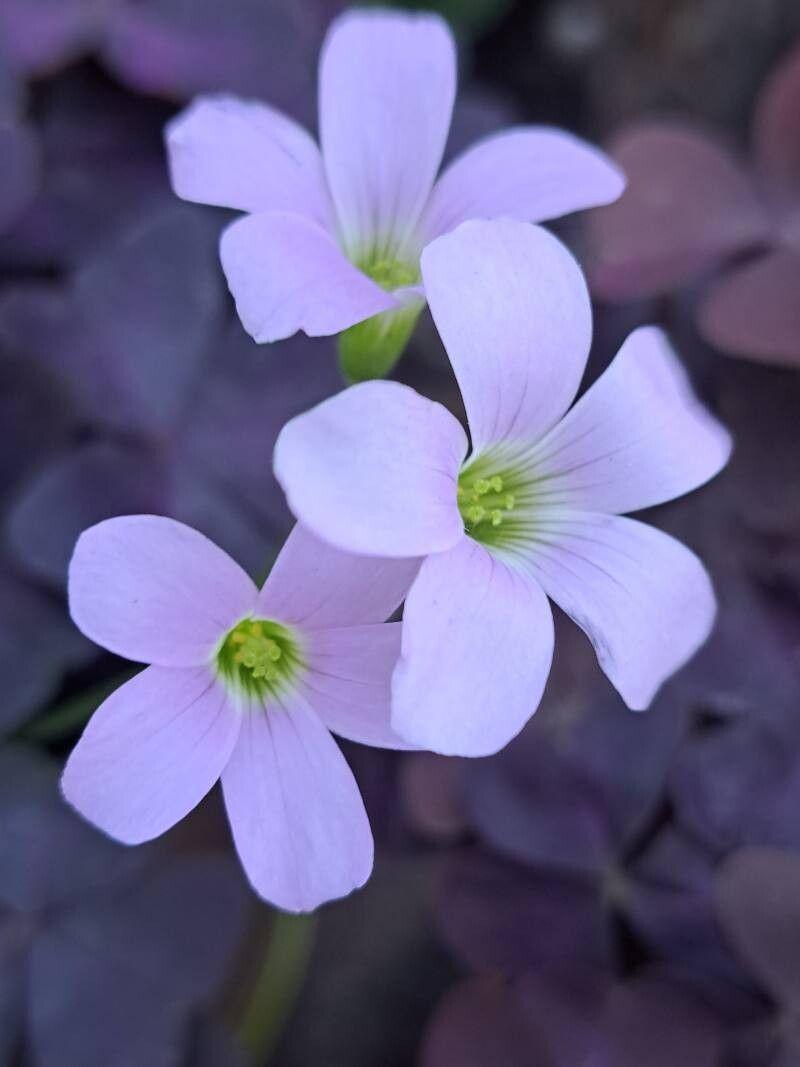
245, 687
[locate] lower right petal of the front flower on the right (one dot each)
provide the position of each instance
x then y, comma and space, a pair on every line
644, 599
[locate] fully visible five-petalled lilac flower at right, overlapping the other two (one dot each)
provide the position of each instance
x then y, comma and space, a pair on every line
536, 508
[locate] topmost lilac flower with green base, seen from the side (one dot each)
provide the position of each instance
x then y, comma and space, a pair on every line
333, 238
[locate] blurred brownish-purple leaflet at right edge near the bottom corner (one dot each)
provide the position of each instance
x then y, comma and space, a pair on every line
759, 903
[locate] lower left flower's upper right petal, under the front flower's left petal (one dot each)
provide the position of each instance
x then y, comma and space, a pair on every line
319, 586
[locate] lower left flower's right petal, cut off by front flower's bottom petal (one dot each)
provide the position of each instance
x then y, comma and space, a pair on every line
349, 684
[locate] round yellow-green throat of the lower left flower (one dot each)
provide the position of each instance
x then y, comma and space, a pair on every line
260, 659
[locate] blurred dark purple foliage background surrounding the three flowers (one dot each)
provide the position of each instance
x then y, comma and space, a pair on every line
615, 889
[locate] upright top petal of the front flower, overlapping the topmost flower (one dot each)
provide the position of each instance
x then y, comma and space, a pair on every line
514, 312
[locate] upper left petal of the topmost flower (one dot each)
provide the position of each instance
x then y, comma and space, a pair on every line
245, 155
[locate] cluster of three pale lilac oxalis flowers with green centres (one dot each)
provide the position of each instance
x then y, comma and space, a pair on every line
395, 504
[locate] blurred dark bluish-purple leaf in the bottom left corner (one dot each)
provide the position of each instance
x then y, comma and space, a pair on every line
107, 953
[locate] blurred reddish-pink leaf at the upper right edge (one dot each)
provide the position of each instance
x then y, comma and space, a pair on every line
692, 205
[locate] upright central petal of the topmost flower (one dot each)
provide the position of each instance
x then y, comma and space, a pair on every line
388, 84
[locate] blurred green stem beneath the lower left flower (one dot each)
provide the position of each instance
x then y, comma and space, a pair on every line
278, 985
